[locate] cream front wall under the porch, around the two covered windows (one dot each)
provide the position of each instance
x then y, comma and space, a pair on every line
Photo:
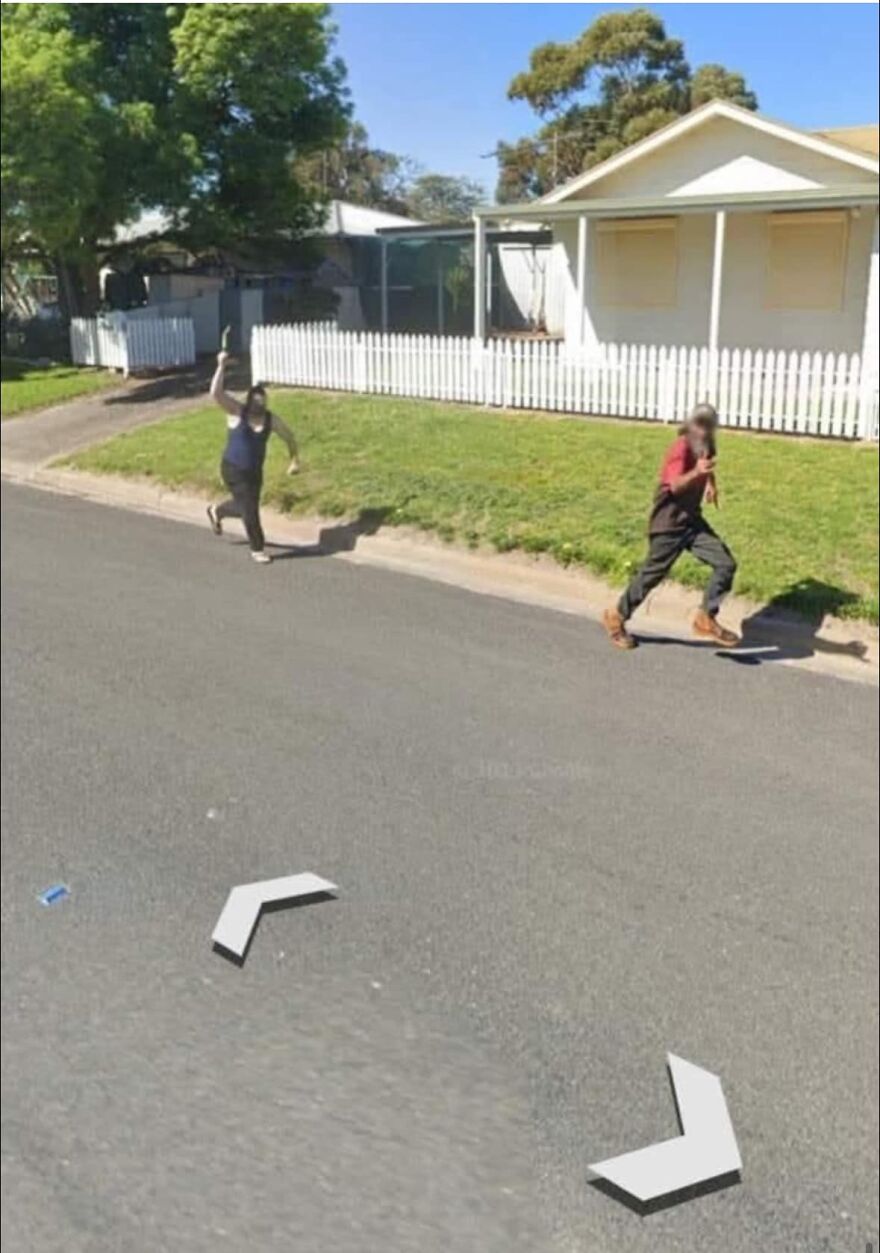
746, 323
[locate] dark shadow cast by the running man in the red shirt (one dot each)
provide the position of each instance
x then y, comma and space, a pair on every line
803, 606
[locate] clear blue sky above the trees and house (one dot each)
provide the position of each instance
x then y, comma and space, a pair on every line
429, 81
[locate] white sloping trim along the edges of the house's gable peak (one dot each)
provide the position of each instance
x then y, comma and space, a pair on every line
706, 113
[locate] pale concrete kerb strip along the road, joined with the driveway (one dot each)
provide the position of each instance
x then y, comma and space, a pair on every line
29, 445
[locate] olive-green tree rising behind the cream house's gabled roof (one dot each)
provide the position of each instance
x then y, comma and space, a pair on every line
620, 81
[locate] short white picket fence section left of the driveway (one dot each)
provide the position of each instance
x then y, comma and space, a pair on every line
128, 344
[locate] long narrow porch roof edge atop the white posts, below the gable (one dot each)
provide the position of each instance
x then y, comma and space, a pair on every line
671, 206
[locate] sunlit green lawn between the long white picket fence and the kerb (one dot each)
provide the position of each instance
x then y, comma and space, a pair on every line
800, 516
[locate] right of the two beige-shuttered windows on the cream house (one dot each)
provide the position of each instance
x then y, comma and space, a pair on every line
807, 260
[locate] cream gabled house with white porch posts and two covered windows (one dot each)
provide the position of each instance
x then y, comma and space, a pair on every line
721, 231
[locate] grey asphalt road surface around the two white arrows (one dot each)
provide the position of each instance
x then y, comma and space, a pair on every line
556, 864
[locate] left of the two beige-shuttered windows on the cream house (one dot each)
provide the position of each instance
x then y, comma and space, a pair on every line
637, 263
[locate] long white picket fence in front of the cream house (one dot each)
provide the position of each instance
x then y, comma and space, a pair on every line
798, 393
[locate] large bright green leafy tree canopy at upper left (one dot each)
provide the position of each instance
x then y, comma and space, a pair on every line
197, 110
